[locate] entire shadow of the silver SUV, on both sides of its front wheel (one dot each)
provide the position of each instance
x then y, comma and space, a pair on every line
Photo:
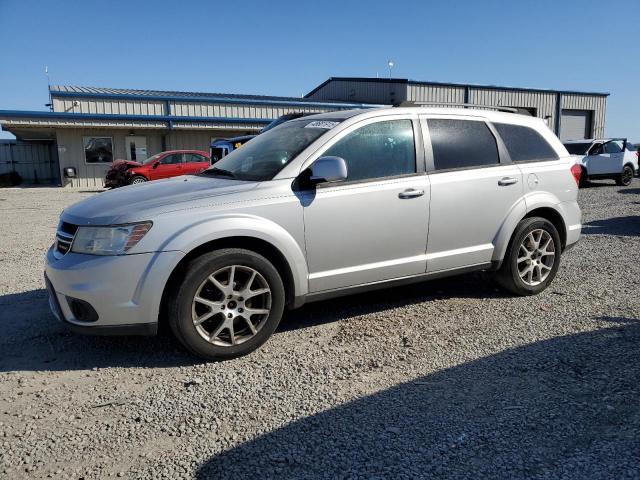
33, 340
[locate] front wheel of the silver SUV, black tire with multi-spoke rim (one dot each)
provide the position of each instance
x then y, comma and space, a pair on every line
228, 305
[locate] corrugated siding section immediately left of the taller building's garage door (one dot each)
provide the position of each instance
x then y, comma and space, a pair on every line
543, 102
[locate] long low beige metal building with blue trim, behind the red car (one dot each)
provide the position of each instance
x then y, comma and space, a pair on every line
90, 127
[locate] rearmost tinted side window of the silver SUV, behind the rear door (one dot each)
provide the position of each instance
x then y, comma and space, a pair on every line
524, 144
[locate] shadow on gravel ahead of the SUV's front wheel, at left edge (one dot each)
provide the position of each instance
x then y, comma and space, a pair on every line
33, 340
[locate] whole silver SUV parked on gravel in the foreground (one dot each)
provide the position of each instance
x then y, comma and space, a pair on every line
318, 207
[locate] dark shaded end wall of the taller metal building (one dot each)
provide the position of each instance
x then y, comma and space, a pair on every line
365, 92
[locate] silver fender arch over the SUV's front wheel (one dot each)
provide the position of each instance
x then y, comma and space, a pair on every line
222, 226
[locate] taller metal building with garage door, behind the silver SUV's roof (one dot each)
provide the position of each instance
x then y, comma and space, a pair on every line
570, 114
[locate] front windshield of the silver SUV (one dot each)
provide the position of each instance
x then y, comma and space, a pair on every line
264, 156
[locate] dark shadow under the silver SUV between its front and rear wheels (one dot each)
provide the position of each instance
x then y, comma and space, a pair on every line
473, 285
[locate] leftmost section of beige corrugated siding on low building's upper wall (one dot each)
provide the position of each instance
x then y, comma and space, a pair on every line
109, 106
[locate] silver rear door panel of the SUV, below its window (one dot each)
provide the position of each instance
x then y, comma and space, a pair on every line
467, 210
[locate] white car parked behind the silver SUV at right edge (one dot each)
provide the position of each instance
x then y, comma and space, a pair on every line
613, 158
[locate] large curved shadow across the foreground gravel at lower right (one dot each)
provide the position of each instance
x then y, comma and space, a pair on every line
561, 408
